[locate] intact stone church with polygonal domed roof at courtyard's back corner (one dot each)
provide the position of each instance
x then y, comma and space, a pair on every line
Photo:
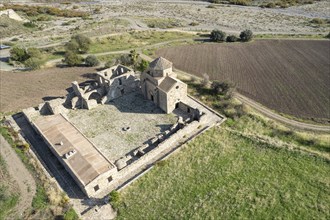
160, 85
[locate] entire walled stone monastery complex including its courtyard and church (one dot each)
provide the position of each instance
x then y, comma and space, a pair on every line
109, 131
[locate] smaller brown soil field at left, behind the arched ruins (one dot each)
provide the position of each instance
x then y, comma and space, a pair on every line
19, 90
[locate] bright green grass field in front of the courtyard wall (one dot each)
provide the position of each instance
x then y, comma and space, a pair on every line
221, 175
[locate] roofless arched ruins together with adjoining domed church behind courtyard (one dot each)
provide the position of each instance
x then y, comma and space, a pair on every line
158, 84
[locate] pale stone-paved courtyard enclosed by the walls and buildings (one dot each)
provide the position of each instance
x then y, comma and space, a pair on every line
123, 125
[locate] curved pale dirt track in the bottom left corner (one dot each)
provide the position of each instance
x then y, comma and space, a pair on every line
21, 175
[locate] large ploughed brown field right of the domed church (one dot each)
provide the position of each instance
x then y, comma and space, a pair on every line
289, 76
